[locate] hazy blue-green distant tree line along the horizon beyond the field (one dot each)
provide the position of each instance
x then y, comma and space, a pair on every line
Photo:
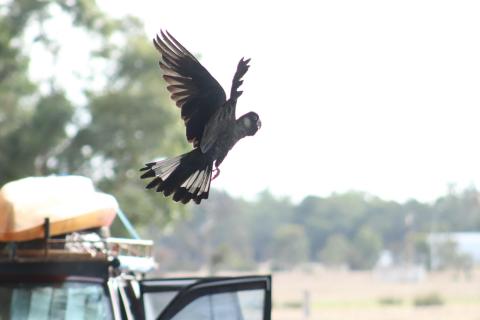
348, 230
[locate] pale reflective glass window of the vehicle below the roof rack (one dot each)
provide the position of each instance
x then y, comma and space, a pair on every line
67, 300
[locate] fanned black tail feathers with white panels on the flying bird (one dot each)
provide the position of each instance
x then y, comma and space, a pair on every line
187, 176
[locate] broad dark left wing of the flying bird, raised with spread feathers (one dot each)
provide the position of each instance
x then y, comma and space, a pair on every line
192, 87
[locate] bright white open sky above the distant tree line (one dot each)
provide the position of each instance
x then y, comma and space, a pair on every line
375, 96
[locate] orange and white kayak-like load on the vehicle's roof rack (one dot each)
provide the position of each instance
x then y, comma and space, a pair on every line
70, 202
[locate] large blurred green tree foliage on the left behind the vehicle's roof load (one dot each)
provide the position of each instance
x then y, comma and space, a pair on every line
124, 120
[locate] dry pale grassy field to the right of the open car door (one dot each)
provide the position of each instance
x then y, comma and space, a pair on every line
359, 295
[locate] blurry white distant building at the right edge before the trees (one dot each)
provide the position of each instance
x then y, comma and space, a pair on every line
466, 244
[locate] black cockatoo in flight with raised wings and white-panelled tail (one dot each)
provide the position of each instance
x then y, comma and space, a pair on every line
210, 121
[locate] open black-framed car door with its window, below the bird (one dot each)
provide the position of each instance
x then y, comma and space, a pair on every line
229, 298
